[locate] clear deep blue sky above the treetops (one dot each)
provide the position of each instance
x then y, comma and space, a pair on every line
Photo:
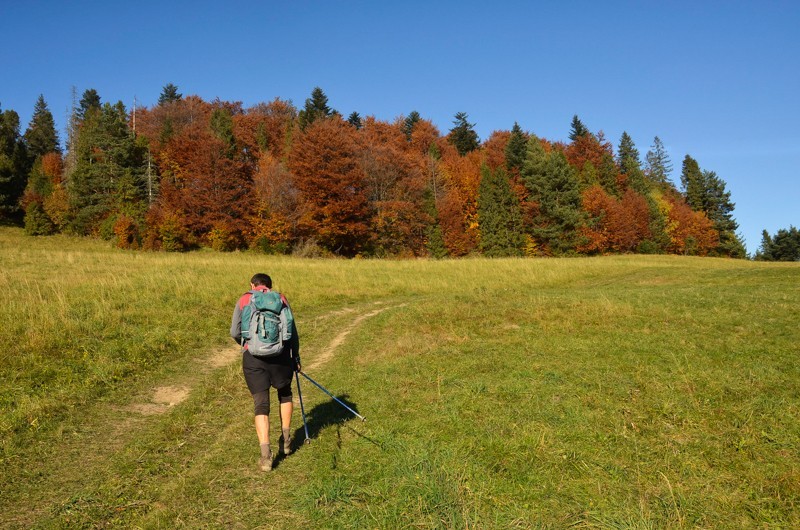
717, 80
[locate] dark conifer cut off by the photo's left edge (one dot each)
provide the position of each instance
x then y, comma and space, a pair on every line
14, 166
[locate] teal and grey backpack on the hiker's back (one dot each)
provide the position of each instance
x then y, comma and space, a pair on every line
266, 324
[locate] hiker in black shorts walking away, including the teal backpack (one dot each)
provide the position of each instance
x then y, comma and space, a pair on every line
275, 369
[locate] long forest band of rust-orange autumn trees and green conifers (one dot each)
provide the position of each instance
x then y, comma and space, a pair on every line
186, 173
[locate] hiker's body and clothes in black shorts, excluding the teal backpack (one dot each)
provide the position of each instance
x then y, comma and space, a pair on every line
263, 372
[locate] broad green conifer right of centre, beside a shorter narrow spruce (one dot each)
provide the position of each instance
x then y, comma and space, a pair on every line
555, 190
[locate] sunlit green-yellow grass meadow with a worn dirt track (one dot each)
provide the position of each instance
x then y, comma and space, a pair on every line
616, 392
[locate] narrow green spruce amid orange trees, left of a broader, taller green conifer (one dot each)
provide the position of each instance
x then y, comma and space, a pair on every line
499, 216
